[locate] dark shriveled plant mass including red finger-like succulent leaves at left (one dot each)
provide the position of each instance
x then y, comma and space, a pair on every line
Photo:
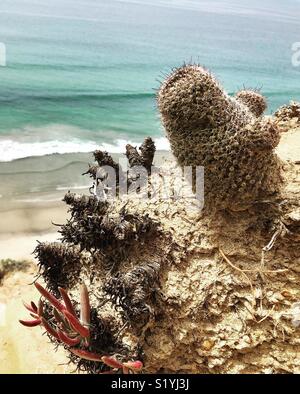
97, 244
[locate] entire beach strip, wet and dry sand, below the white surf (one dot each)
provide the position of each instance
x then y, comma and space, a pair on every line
32, 190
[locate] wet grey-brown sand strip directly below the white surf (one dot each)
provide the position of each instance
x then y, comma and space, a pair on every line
38, 180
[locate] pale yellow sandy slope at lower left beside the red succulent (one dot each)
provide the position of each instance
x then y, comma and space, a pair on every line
24, 350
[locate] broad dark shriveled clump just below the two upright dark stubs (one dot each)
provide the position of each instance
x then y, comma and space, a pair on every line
114, 234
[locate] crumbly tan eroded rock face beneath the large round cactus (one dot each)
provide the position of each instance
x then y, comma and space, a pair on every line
228, 293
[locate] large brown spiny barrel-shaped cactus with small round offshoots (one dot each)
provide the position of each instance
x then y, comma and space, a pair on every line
226, 135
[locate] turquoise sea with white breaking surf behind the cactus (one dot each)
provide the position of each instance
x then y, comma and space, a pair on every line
82, 73
